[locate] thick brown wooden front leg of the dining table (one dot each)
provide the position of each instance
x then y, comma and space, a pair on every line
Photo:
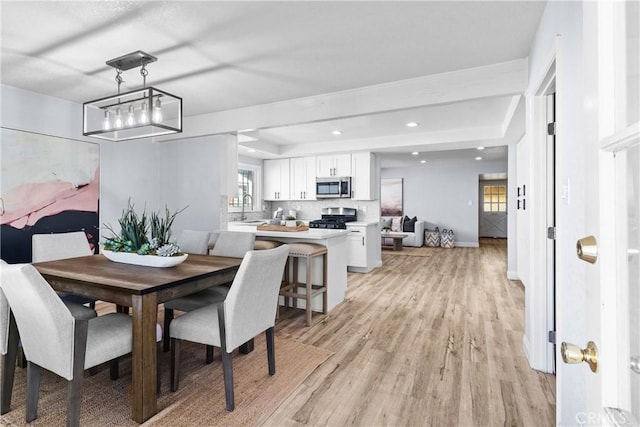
144, 361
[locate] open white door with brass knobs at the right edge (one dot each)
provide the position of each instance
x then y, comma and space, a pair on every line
613, 288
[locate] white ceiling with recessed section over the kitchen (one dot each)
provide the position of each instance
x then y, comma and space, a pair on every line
221, 56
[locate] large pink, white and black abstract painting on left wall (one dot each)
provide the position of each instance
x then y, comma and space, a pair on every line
49, 185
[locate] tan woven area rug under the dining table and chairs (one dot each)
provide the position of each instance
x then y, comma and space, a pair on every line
200, 399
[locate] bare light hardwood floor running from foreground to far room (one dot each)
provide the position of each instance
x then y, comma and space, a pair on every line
434, 337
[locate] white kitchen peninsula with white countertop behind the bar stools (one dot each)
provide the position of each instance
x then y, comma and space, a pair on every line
337, 253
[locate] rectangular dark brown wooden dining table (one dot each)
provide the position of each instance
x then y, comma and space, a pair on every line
142, 289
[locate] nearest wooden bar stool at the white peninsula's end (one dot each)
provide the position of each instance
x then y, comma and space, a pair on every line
292, 288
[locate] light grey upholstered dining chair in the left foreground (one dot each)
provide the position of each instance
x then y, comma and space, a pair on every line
53, 339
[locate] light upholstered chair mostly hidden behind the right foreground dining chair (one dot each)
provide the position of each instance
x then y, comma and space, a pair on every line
233, 244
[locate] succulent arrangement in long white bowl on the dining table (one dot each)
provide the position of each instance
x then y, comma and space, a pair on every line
133, 239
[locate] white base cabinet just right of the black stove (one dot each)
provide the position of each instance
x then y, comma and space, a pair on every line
362, 242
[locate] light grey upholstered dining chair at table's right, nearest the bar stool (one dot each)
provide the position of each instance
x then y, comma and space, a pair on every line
248, 310
